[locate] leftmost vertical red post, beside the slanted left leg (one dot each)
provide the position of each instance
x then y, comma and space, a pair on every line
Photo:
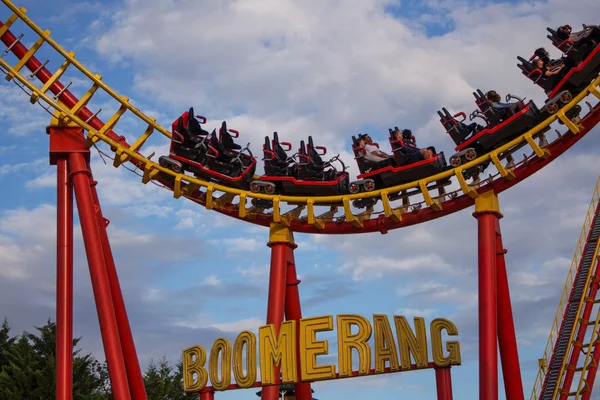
64, 283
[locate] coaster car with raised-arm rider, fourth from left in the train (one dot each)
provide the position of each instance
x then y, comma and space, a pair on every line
474, 140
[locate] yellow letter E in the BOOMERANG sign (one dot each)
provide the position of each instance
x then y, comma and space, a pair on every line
310, 348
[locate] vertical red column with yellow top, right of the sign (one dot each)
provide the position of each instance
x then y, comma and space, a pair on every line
487, 212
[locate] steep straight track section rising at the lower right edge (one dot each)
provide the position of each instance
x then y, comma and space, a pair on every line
561, 359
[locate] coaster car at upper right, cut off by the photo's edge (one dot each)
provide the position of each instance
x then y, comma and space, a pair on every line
561, 87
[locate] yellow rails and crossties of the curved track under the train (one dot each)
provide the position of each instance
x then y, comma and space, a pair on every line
185, 185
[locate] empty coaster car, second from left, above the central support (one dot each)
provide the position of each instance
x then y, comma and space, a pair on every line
307, 176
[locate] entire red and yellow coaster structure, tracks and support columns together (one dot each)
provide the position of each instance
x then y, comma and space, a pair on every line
75, 129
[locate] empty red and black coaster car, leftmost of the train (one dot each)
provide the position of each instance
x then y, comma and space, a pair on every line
207, 156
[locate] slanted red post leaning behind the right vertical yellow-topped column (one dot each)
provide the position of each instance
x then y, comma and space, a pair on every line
507, 340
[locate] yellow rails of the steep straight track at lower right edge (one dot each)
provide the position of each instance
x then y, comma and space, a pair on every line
562, 304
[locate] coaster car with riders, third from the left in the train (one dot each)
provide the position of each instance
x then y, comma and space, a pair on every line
394, 171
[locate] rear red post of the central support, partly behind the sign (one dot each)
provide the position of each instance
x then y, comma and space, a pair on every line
293, 311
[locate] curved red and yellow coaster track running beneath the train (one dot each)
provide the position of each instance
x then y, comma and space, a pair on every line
339, 217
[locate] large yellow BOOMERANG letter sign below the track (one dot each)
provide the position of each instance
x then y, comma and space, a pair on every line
299, 339
